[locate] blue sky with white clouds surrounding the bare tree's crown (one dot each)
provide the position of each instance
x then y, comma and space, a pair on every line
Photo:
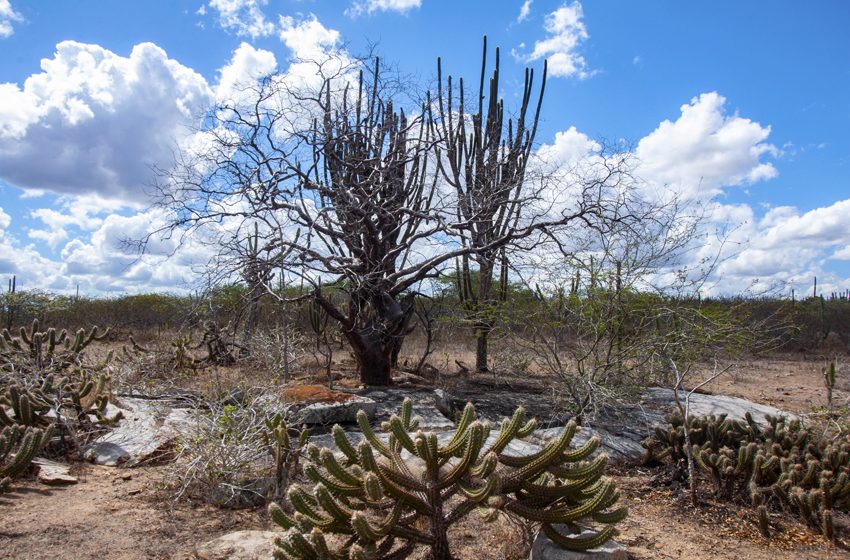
745, 105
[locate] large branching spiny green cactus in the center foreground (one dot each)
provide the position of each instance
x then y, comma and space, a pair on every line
407, 487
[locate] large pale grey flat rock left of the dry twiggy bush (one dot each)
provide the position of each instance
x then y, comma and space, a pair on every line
147, 431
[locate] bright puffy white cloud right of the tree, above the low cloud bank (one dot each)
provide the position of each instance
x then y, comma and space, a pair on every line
706, 149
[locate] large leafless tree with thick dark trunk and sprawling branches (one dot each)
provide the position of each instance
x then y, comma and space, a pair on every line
347, 190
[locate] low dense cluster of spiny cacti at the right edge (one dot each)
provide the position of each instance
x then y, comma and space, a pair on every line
782, 464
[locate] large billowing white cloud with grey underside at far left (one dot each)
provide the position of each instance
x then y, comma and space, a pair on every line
96, 122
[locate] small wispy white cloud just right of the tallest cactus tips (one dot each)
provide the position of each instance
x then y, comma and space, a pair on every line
565, 33
